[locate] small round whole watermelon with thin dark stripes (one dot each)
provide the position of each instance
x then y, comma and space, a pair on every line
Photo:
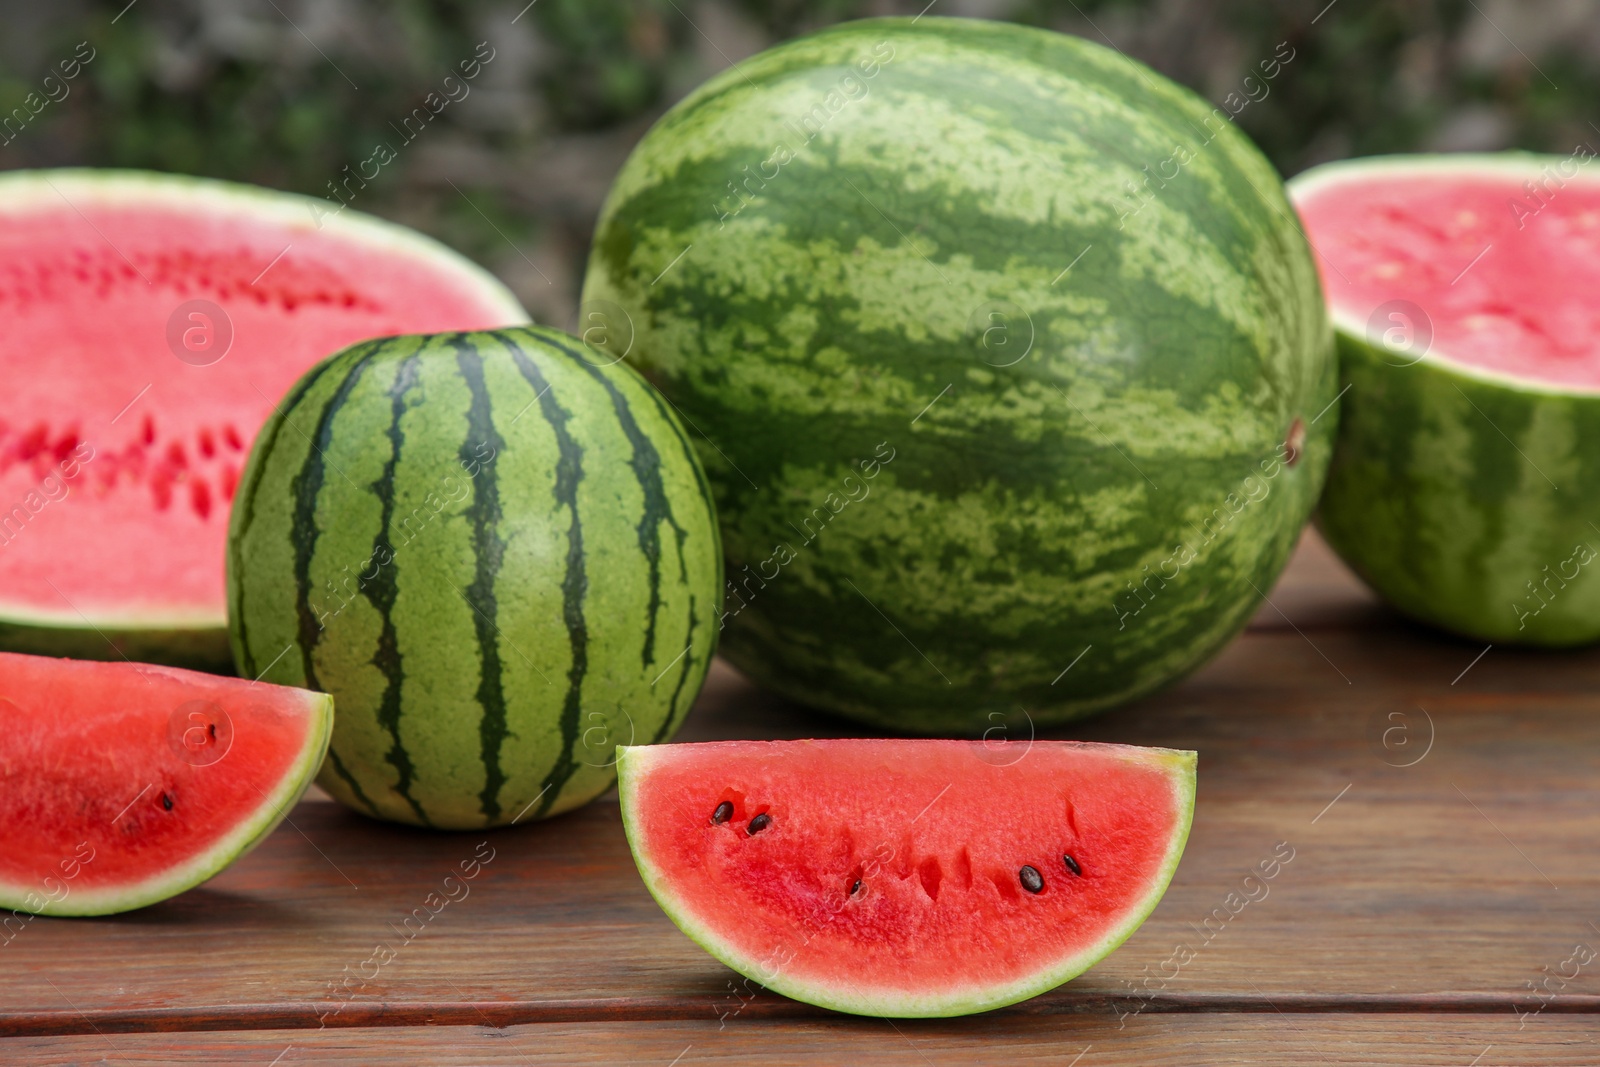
497, 551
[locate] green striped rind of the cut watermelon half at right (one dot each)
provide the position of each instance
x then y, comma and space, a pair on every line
1438, 492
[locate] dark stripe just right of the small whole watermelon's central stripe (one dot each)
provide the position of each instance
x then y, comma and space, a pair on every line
569, 473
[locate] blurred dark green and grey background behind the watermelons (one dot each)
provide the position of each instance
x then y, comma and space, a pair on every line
514, 166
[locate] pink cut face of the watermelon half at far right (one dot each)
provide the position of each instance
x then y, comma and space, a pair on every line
1502, 258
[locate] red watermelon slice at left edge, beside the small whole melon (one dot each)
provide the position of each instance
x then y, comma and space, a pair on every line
124, 785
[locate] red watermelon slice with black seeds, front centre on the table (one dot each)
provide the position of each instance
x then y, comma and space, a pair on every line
906, 877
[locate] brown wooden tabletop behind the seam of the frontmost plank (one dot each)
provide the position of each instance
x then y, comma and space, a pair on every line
1412, 889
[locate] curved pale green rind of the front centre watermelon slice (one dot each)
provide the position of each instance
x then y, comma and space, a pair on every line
1178, 765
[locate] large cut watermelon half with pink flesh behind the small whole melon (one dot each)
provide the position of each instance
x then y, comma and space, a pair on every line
151, 326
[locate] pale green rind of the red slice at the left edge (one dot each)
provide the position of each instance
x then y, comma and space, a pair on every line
242, 839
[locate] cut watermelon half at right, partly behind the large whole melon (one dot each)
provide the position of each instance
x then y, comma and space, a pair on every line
1465, 482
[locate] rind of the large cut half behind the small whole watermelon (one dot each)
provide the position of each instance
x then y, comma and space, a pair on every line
199, 639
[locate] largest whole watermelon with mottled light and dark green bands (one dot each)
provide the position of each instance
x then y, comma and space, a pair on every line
1006, 356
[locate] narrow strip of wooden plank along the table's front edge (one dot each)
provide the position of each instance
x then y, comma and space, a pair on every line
1268, 1041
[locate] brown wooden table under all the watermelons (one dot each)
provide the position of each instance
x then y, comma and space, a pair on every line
1439, 802
